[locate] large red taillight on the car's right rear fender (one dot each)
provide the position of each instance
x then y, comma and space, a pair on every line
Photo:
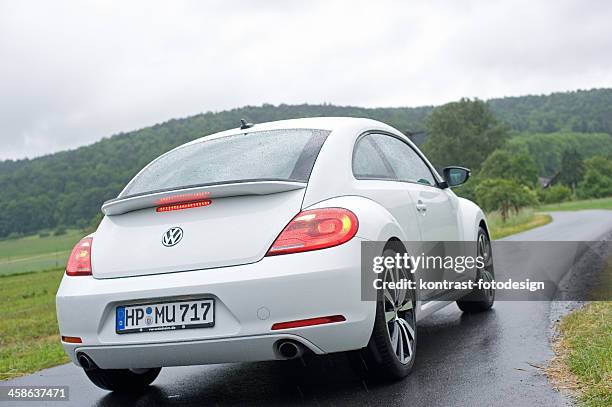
316, 229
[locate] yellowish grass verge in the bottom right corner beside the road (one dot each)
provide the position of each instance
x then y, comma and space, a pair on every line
586, 347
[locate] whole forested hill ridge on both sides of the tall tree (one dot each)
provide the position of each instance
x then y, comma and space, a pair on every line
67, 188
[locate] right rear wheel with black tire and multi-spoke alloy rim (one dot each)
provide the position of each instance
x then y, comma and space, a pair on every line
391, 351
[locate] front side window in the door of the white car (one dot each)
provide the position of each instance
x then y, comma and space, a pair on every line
404, 161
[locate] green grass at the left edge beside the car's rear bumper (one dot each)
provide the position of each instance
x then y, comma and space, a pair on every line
29, 338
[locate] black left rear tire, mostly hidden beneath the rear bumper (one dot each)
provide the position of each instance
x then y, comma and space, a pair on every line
123, 380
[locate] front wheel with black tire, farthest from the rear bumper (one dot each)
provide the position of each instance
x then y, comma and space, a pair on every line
481, 300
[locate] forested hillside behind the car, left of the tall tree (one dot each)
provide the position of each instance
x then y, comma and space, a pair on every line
68, 188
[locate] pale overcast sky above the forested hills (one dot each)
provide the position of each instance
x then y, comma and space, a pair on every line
72, 72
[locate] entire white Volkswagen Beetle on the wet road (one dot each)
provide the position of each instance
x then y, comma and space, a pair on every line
245, 246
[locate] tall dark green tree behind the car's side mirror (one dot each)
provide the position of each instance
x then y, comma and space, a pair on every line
462, 133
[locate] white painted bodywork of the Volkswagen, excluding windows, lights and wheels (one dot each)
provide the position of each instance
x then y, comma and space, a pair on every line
227, 261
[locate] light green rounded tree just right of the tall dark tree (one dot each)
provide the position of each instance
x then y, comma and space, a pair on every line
519, 167
